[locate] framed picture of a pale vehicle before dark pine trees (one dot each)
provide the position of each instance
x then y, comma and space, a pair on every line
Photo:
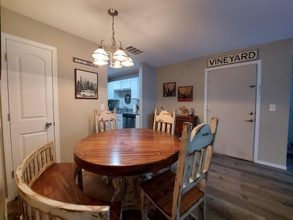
86, 84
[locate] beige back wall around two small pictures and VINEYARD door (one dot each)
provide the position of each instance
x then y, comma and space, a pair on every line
276, 60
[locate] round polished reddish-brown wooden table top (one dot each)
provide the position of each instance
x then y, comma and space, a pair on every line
126, 152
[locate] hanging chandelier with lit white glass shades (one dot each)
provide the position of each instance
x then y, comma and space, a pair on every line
115, 53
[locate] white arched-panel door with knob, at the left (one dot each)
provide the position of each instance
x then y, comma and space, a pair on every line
30, 98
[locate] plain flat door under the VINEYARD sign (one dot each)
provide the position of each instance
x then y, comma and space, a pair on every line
231, 96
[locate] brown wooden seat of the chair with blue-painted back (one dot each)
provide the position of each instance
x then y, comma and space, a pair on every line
160, 190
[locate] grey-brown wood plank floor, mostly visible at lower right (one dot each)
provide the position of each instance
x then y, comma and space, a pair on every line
237, 190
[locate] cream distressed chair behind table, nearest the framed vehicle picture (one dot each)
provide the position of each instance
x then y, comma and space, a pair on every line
105, 120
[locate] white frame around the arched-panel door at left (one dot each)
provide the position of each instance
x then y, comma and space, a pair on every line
10, 183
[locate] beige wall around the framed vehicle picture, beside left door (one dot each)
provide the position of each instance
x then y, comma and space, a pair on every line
75, 115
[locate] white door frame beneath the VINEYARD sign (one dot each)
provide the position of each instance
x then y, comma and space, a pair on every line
257, 100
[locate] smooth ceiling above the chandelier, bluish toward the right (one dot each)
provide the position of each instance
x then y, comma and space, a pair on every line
167, 31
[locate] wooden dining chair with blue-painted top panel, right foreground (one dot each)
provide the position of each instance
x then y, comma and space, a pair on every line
178, 195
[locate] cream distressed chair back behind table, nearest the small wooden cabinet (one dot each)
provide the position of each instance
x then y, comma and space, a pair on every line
164, 121
